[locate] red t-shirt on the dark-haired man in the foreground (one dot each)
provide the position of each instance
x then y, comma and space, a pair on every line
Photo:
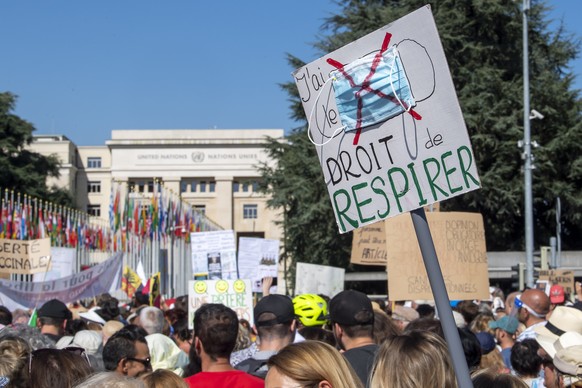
228, 379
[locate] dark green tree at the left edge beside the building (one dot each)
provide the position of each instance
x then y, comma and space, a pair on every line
21, 169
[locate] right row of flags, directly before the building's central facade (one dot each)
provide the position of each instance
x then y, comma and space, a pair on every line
154, 216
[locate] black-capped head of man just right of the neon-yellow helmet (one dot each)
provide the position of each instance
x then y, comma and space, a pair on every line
352, 316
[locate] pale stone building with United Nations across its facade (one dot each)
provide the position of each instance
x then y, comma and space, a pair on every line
215, 171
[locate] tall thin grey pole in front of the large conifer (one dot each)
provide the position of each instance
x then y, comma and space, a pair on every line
529, 236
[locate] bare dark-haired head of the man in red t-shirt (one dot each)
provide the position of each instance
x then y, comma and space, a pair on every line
215, 331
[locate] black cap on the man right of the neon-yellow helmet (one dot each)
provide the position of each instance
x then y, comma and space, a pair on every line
351, 308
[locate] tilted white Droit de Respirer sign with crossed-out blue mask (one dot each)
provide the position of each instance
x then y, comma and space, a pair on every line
389, 132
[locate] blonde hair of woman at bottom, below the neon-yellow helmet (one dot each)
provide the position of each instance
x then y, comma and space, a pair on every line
310, 364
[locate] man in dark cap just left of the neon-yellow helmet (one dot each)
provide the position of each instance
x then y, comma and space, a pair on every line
275, 326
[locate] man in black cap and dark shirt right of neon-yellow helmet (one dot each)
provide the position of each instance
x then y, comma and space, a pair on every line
352, 319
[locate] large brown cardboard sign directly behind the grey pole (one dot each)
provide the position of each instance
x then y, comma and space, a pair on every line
459, 240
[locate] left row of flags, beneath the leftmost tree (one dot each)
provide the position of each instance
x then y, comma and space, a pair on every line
23, 217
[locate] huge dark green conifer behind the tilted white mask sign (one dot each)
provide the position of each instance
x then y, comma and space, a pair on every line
483, 44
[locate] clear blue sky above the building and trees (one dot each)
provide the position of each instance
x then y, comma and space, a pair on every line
84, 68
